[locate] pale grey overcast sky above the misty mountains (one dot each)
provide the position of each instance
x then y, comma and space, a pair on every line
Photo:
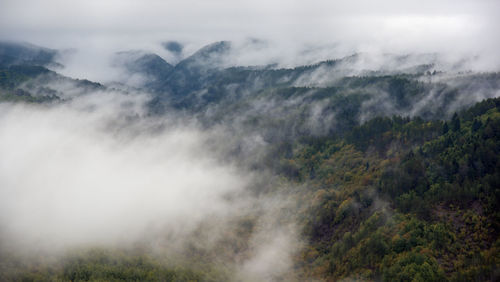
448, 26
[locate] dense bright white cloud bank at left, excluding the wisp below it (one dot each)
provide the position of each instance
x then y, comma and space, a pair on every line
86, 172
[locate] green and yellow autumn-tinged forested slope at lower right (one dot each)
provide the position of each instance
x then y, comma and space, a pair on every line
397, 199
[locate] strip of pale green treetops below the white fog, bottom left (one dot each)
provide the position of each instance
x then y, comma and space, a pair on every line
106, 265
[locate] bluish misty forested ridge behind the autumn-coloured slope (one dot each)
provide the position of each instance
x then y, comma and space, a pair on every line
326, 98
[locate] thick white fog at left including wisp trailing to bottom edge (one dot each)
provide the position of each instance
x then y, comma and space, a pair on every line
98, 171
